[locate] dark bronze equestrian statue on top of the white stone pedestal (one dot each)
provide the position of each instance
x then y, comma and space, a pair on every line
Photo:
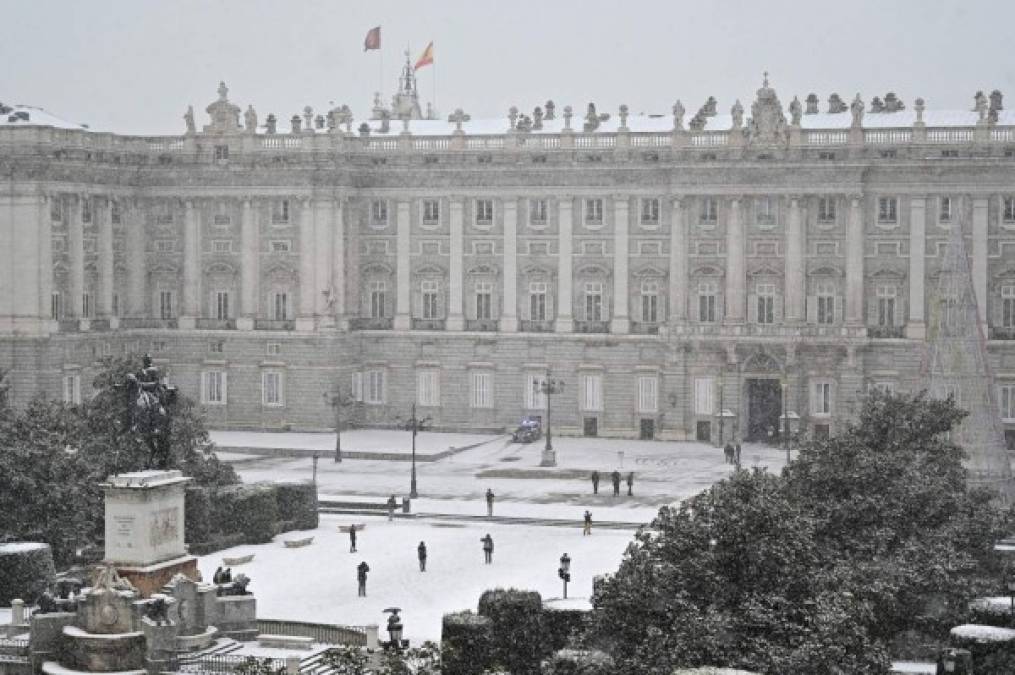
151, 402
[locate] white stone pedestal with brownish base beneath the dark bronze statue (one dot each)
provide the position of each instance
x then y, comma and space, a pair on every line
145, 528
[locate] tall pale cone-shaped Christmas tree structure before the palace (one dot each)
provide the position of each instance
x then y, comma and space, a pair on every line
957, 365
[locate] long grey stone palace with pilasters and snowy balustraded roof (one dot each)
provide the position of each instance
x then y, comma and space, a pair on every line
679, 274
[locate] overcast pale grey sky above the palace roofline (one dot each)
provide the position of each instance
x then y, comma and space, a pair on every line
133, 66
